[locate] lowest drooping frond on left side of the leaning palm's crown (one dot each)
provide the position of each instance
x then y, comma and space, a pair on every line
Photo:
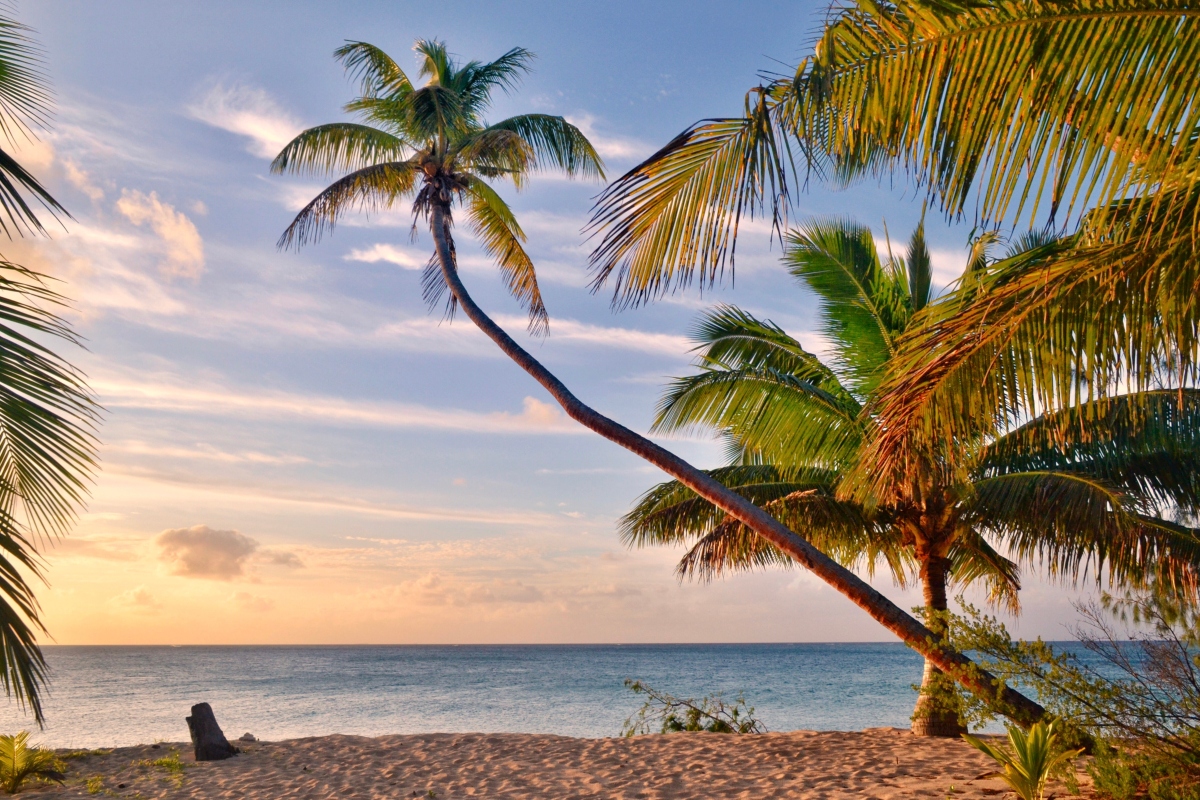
371, 189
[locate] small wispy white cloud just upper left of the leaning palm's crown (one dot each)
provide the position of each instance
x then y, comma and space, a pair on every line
248, 112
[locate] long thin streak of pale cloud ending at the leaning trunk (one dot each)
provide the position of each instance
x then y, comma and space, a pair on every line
536, 417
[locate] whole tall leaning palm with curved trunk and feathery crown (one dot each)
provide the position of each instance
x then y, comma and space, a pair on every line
433, 146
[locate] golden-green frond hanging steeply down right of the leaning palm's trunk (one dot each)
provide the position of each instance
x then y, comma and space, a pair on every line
497, 230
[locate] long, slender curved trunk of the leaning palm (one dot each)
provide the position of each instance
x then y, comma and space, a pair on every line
883, 610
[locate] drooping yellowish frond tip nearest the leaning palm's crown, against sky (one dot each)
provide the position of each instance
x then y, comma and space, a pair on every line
674, 219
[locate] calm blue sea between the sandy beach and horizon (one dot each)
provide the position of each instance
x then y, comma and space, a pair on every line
105, 696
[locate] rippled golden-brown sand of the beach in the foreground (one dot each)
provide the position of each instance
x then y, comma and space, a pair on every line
883, 763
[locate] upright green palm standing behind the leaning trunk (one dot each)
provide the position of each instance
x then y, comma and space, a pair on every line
797, 426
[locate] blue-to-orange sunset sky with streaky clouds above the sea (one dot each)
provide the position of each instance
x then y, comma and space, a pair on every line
295, 449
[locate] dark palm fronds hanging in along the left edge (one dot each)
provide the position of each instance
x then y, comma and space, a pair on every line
47, 413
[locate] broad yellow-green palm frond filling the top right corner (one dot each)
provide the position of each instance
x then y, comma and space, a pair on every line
1088, 101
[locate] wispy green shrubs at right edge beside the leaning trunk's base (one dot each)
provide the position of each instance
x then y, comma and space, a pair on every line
1136, 702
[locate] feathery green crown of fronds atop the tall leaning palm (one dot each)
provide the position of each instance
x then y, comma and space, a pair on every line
431, 143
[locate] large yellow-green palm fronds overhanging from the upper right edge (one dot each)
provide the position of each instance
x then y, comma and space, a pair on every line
1083, 112
